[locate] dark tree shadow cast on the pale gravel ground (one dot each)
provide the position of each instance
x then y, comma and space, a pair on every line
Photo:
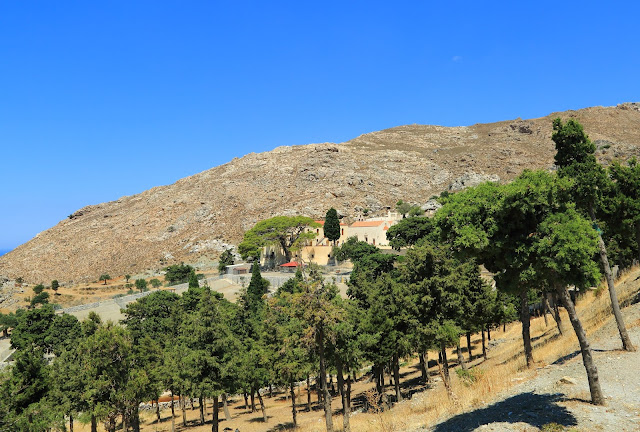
534, 409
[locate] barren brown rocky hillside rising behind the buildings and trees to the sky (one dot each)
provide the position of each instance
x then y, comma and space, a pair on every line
198, 214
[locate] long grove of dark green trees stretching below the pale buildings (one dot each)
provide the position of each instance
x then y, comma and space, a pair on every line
201, 346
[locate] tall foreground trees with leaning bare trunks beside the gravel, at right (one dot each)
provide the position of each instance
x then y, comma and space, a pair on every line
546, 231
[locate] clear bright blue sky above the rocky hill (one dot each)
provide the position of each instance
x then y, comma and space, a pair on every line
104, 99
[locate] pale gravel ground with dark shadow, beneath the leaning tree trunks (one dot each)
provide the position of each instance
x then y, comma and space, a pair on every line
547, 399
